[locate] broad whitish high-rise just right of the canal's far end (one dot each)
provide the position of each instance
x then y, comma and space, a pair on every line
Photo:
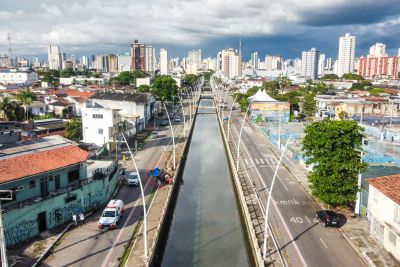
228, 63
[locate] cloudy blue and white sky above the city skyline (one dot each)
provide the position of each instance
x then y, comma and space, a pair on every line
284, 27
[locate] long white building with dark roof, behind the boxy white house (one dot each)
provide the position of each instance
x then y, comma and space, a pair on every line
136, 109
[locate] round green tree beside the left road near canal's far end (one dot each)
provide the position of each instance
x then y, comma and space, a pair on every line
164, 88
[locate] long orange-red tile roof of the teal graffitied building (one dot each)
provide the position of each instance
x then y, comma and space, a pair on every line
43, 161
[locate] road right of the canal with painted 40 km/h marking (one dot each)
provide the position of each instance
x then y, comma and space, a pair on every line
304, 242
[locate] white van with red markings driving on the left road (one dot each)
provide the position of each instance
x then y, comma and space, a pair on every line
111, 214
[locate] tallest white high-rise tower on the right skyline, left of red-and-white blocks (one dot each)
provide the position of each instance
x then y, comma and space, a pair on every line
347, 48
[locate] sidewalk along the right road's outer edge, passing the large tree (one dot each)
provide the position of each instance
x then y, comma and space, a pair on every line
355, 230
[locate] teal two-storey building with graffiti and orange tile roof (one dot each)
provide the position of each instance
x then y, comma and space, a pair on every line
49, 180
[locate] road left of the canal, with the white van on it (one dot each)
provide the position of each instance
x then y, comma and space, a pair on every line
89, 246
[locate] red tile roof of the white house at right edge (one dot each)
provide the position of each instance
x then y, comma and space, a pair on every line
388, 185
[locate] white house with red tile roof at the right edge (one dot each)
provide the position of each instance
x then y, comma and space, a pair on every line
384, 212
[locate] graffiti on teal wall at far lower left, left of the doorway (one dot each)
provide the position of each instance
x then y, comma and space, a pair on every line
20, 232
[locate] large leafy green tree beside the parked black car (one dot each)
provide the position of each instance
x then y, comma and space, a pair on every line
334, 148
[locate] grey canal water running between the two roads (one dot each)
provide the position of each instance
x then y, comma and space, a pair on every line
206, 228
